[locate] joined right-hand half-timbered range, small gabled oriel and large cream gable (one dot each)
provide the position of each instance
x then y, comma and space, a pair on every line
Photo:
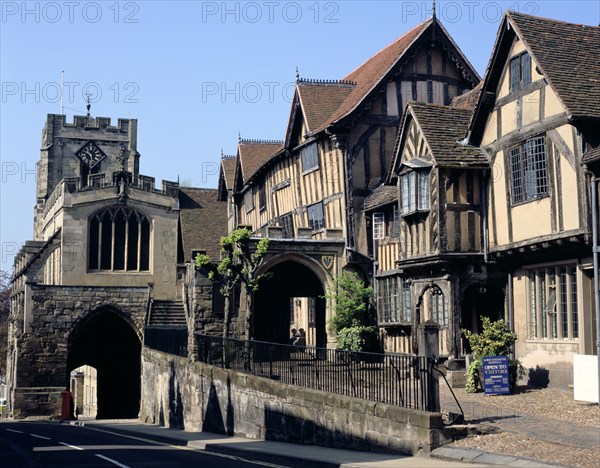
499, 223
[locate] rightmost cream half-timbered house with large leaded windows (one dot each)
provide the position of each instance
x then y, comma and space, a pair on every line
537, 119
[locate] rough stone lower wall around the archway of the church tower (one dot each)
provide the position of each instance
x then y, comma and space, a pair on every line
42, 334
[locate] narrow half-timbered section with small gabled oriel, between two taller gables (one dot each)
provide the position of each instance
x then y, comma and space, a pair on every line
430, 245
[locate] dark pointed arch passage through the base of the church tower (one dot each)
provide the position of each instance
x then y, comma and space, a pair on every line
106, 342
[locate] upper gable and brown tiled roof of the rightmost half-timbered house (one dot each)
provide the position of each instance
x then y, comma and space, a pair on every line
531, 52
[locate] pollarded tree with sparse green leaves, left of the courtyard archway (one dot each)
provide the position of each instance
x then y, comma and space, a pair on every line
238, 265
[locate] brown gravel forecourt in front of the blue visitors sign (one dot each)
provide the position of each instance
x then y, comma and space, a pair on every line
539, 410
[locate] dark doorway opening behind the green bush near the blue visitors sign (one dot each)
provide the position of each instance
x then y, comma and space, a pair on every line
480, 300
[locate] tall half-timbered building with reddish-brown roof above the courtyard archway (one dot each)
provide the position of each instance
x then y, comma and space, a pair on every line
308, 193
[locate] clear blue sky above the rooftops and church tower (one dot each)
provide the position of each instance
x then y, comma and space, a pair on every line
195, 73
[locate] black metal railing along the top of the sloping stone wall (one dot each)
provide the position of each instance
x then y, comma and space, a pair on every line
401, 380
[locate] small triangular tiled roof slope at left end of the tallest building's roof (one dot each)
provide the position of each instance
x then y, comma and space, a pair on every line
320, 100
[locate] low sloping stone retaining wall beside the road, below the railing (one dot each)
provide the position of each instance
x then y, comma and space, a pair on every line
197, 397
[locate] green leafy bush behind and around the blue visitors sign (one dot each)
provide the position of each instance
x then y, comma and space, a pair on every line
496, 339
